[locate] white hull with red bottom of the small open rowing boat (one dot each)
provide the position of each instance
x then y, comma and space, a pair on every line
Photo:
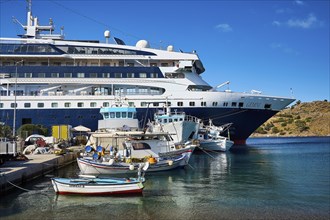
71, 186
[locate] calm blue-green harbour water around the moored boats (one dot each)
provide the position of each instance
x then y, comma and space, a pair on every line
270, 178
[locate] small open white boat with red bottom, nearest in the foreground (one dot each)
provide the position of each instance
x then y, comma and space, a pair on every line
92, 185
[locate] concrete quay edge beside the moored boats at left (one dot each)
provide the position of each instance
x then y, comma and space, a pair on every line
19, 172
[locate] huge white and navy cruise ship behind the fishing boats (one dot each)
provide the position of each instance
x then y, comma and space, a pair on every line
47, 80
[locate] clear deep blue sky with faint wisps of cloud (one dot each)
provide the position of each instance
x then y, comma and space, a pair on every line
270, 46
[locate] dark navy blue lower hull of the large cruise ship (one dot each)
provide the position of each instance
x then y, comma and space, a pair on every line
245, 121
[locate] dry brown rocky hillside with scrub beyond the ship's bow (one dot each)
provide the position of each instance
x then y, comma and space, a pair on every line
301, 119
